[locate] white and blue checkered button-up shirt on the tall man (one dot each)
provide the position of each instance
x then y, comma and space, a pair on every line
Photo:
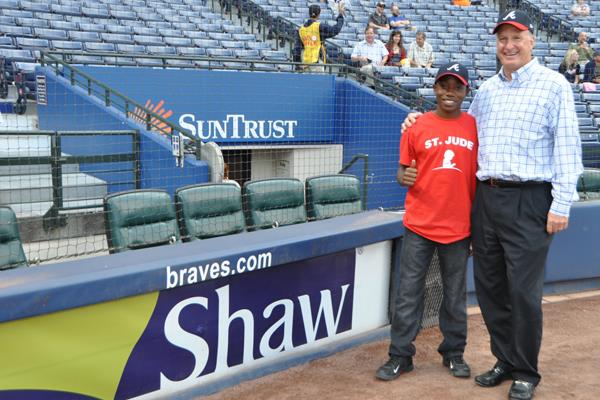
528, 131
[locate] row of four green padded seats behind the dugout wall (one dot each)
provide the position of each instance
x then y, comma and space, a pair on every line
145, 218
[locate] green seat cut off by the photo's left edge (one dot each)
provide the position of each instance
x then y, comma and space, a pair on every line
11, 249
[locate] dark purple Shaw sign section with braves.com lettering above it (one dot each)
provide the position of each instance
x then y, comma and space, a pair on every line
206, 328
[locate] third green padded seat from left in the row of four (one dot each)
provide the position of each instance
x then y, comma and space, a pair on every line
274, 202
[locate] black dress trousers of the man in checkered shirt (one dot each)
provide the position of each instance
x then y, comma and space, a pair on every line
510, 245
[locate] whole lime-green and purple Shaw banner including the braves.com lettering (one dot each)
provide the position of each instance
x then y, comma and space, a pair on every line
177, 338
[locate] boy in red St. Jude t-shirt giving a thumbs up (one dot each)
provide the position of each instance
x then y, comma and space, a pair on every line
443, 145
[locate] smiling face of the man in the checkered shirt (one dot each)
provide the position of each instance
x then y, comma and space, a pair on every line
514, 48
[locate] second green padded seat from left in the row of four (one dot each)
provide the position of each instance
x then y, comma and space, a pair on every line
209, 210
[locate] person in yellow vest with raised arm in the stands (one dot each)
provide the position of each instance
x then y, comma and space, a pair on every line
312, 34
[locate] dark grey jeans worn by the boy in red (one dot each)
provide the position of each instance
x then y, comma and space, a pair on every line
415, 258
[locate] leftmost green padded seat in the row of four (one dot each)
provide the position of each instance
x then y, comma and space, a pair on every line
138, 219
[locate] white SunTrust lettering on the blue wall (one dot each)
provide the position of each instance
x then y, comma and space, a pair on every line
237, 126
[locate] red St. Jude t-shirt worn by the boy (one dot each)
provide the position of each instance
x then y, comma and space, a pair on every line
438, 205
